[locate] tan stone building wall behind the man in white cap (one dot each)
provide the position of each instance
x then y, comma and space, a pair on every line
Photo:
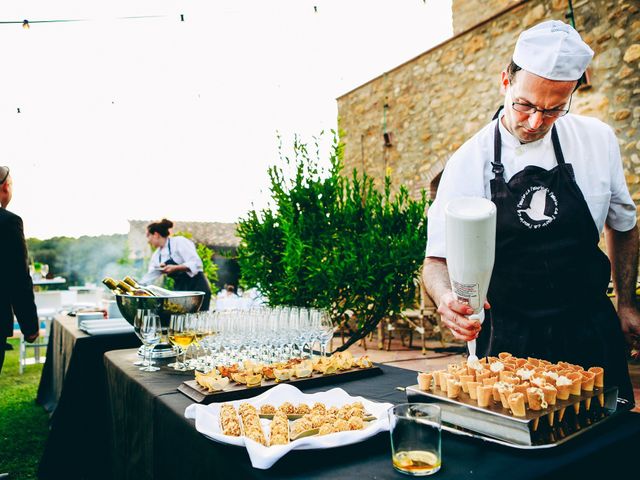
413, 117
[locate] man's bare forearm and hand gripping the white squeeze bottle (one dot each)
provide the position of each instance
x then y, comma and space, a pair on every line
435, 276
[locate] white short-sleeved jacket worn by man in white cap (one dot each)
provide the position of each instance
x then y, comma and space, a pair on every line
588, 144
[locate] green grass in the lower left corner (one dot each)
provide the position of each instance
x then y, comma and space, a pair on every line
23, 423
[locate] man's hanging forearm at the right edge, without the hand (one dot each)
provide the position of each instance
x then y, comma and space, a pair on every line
622, 248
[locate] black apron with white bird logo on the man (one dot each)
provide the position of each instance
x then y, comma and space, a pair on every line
548, 287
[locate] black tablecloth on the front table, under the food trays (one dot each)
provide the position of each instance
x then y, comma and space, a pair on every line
154, 440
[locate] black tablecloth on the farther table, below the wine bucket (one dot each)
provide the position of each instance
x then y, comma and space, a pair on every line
73, 386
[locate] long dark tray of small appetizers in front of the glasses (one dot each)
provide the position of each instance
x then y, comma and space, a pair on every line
249, 379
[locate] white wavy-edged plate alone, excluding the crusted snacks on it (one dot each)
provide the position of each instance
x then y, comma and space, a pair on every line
208, 422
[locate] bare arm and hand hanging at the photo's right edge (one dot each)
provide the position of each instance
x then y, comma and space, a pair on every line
622, 248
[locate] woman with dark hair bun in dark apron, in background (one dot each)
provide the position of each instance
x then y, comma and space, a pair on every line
177, 258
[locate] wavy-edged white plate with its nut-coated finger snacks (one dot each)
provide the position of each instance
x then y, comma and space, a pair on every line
330, 419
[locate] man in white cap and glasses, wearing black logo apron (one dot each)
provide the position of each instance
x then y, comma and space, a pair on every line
557, 182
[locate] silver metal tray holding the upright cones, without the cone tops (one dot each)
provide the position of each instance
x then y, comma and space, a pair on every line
538, 429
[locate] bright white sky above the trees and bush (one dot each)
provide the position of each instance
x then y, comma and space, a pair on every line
151, 118
